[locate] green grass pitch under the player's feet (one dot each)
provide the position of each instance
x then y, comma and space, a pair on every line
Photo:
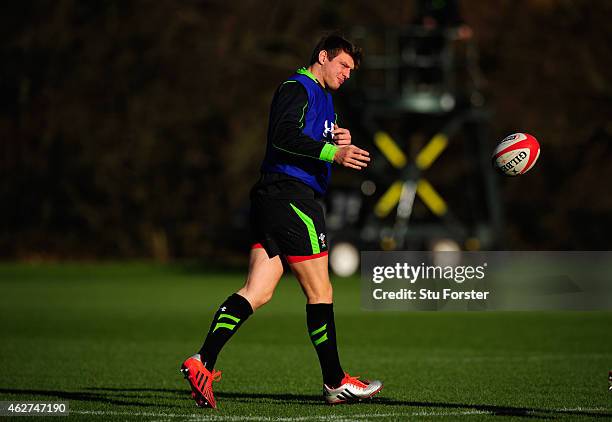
109, 339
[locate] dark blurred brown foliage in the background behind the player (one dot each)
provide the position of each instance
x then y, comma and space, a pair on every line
136, 128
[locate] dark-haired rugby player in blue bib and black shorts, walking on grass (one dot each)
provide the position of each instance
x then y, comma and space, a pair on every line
287, 220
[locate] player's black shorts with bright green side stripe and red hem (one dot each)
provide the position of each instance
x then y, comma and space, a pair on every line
293, 228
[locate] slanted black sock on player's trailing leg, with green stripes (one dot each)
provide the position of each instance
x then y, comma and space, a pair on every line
230, 316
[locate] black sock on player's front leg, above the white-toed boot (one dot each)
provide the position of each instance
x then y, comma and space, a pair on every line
322, 331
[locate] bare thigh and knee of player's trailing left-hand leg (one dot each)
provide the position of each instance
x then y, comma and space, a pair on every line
262, 279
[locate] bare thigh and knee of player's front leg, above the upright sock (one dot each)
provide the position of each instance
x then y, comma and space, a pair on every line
313, 276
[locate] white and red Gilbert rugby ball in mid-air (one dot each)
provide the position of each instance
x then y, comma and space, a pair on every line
516, 154
